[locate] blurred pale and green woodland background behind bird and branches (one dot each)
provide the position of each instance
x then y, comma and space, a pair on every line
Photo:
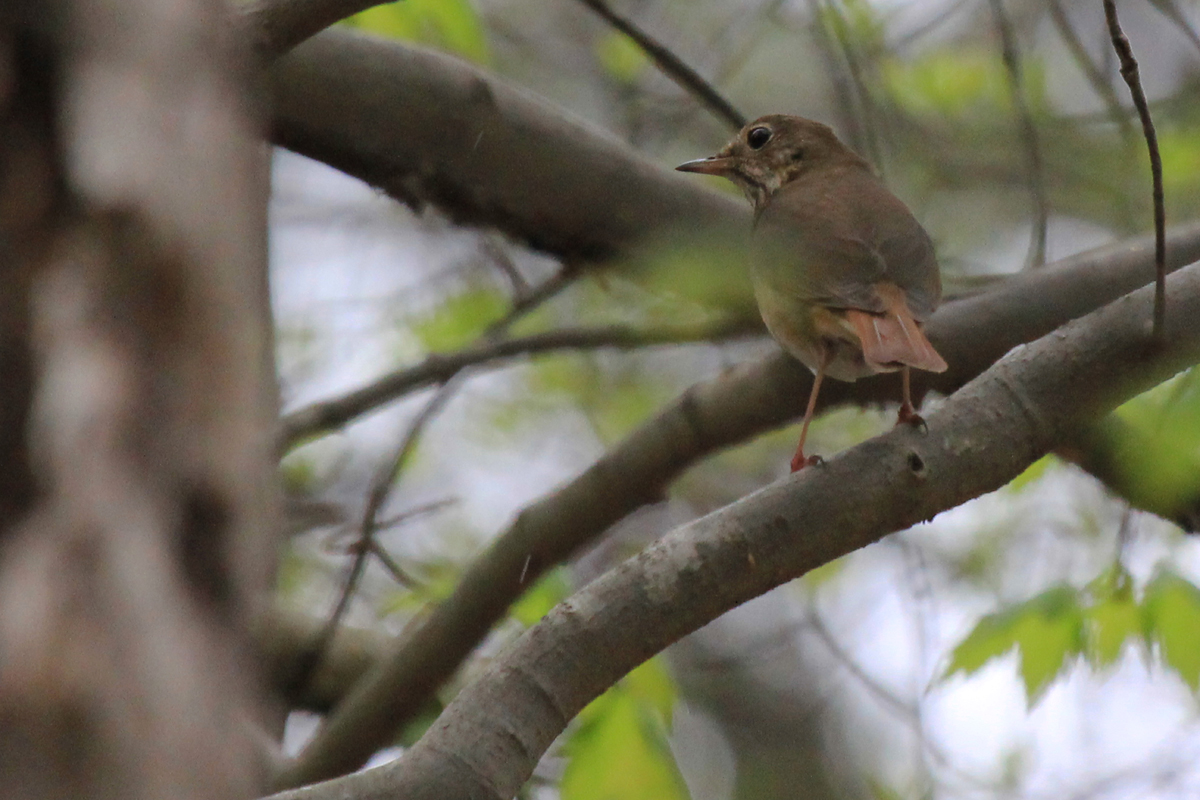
1042, 642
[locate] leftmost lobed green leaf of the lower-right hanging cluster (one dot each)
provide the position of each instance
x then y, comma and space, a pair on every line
1047, 631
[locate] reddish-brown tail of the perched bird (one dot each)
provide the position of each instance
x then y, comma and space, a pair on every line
895, 339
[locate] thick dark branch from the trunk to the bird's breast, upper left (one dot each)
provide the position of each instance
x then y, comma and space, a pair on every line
430, 129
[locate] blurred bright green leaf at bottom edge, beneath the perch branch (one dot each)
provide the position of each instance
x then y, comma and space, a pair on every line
620, 750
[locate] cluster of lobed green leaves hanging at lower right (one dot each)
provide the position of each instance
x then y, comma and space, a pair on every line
1099, 623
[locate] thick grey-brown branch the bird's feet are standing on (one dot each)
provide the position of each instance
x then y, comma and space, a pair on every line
490, 738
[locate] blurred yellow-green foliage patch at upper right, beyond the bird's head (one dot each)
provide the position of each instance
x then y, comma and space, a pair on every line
968, 85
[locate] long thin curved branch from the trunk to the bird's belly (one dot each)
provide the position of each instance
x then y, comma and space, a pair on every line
332, 414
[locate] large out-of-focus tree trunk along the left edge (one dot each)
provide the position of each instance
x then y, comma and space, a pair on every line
136, 402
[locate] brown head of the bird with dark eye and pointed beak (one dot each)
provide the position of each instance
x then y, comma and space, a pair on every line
773, 152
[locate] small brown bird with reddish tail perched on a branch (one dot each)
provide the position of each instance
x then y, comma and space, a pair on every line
844, 275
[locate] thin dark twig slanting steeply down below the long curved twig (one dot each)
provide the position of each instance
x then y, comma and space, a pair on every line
381, 490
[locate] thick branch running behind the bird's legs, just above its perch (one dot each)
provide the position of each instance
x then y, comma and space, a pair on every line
743, 402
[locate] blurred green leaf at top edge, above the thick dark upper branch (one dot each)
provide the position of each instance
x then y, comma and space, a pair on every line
447, 25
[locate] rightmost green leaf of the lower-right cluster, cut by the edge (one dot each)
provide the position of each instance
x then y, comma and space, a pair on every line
1172, 616
